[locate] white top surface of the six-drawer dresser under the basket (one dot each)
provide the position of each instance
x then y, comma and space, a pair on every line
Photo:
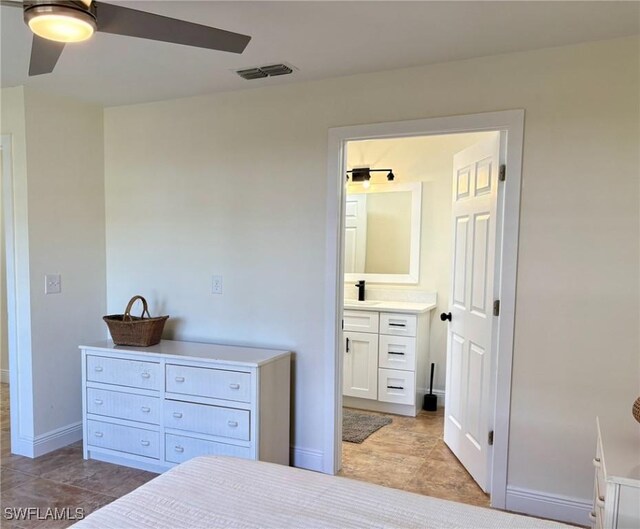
227, 354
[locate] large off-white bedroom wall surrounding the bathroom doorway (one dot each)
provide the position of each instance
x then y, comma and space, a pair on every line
234, 184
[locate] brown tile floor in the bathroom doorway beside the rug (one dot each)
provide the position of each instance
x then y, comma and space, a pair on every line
409, 454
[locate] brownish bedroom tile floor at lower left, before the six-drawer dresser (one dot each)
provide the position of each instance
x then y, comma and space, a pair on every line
61, 479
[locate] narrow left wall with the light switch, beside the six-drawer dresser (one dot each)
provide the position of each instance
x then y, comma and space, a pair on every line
64, 180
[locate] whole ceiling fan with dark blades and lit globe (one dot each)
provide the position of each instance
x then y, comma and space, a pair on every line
55, 23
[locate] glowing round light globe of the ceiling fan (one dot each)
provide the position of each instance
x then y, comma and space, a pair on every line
60, 24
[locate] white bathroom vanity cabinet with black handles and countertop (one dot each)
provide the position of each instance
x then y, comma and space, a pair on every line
386, 354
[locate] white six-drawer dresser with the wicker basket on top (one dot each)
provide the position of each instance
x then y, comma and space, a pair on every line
154, 407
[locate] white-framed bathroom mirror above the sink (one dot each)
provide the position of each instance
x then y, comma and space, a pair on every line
382, 232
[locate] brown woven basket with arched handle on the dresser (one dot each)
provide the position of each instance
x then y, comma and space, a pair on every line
126, 329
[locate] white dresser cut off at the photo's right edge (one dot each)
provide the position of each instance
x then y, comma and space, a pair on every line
616, 490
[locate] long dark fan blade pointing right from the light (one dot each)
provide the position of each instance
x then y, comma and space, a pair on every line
131, 22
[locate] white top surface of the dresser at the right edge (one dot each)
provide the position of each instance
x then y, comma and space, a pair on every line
620, 438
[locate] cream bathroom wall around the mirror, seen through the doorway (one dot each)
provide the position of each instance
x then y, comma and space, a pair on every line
426, 159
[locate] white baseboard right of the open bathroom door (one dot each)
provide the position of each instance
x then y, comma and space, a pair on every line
555, 507
